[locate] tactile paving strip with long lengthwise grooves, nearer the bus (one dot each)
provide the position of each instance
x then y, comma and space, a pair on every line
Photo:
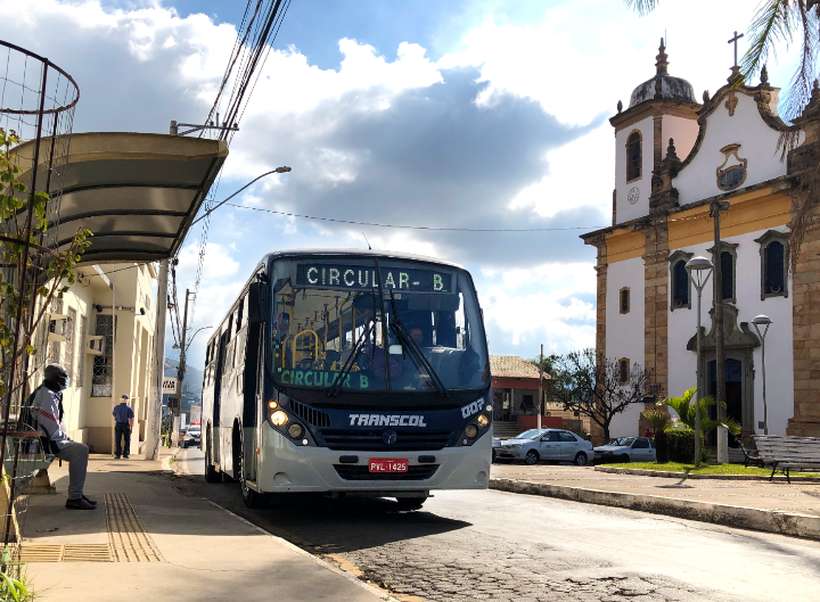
127, 537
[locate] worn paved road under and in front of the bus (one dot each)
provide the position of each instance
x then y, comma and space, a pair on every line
497, 546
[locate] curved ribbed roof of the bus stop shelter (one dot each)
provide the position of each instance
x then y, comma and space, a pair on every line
138, 193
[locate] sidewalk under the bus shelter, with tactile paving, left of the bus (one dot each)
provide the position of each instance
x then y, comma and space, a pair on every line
147, 540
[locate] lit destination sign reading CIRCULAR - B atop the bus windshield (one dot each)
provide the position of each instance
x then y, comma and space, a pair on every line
359, 277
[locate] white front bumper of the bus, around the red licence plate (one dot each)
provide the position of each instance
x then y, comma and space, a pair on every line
284, 467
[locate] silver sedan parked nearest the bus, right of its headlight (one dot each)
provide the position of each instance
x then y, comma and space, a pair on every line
535, 445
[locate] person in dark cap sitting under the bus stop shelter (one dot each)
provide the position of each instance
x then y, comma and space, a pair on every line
47, 408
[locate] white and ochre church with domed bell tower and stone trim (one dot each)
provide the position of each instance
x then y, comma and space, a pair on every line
676, 160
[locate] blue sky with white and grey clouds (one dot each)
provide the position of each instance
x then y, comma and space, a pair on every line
464, 113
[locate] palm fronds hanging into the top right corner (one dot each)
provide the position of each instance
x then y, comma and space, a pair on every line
777, 21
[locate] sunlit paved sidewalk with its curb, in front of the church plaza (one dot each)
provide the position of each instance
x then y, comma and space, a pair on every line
774, 507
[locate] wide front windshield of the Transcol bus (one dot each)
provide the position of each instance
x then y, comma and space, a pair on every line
336, 329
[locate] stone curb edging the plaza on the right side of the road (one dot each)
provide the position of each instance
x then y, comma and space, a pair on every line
740, 517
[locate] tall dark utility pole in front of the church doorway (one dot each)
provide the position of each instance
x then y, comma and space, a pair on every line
717, 326
